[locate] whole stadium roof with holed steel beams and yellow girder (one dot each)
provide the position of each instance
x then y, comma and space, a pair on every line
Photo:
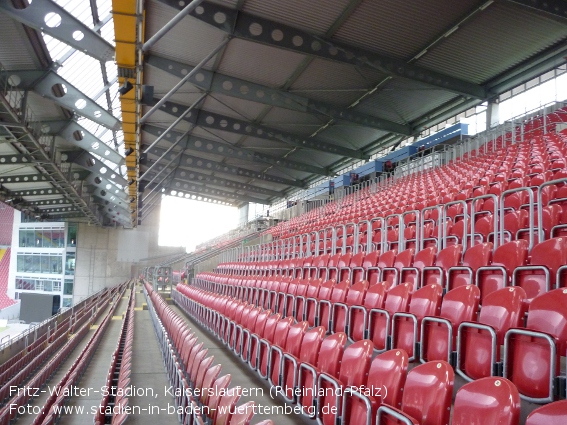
241, 100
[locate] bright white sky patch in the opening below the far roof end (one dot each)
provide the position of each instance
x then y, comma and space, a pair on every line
184, 222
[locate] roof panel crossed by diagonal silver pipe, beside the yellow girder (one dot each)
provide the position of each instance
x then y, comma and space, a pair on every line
188, 42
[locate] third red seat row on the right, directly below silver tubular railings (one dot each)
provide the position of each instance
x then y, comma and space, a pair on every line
511, 264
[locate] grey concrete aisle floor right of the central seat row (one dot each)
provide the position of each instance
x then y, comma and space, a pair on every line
244, 377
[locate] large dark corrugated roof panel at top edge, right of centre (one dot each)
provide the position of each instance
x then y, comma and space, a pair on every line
401, 28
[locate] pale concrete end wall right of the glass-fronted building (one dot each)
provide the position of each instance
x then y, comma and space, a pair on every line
109, 256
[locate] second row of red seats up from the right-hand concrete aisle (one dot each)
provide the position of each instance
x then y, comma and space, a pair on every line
430, 327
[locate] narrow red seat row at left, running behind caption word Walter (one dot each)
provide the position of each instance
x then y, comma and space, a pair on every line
51, 410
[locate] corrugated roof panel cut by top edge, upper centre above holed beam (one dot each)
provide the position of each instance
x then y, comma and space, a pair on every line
315, 16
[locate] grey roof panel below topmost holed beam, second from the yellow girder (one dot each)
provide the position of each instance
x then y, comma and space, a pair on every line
259, 63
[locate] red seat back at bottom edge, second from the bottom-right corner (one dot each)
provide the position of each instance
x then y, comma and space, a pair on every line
471, 406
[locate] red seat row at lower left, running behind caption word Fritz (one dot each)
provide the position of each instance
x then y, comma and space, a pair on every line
37, 378
